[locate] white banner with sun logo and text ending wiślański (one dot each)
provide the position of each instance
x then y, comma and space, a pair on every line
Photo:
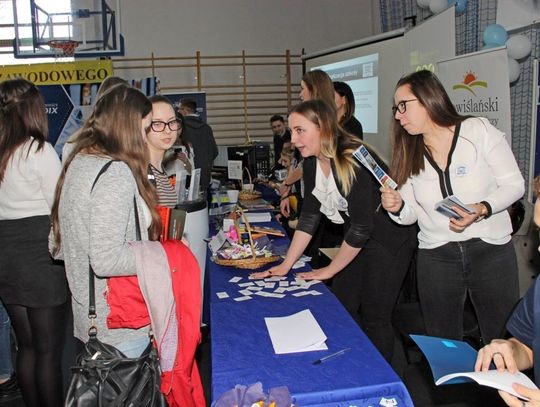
478, 85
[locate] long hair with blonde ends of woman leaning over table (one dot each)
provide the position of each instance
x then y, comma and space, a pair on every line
336, 143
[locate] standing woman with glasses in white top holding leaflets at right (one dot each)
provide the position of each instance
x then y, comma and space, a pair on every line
438, 153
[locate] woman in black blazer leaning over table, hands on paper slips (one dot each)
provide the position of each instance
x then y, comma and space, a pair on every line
374, 256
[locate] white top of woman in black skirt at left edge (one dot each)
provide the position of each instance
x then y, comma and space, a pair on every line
29, 182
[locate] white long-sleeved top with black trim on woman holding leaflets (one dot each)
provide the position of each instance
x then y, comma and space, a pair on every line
482, 168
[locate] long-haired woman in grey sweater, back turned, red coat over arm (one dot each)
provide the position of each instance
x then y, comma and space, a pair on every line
94, 221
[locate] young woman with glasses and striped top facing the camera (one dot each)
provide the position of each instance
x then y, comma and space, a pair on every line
161, 137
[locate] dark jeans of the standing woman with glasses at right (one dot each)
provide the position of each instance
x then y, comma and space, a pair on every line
487, 273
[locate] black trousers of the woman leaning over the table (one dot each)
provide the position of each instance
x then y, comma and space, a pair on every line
369, 287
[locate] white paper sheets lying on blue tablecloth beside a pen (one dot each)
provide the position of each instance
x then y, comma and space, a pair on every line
299, 332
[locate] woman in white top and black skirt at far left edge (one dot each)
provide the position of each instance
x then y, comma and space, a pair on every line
33, 289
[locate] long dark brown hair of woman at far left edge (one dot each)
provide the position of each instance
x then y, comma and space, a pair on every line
22, 118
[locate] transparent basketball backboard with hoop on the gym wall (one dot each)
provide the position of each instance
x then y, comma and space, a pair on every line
93, 24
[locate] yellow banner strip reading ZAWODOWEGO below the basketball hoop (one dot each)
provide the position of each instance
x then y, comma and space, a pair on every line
61, 73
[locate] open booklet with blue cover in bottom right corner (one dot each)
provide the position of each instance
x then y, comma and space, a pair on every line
453, 361
